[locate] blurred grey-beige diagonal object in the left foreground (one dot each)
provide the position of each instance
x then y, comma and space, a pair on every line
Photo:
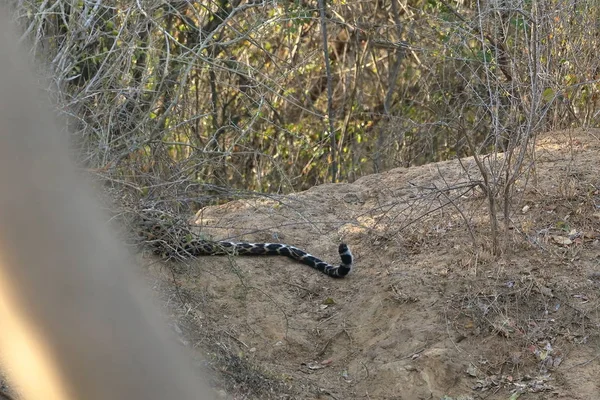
76, 323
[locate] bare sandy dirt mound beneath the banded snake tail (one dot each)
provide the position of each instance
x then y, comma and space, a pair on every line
428, 312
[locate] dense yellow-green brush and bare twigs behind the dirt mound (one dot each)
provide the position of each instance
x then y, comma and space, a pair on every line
237, 96
